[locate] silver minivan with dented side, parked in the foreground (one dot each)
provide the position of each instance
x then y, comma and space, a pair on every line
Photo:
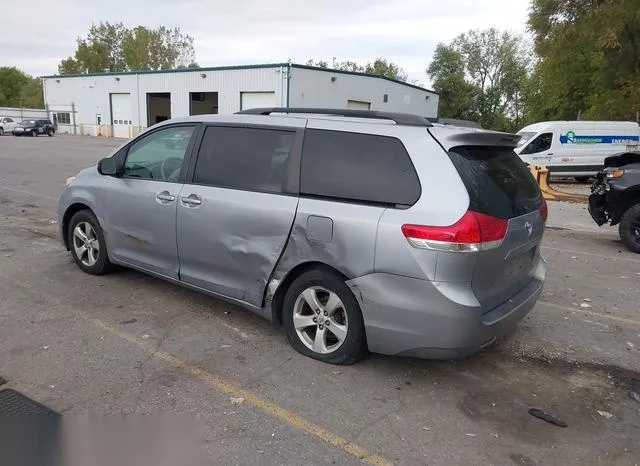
356, 230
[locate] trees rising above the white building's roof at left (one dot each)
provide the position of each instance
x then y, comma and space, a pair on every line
115, 48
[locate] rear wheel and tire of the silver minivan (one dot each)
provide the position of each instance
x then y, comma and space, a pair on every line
337, 305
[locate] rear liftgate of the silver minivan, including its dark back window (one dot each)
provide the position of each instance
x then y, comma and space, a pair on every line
499, 185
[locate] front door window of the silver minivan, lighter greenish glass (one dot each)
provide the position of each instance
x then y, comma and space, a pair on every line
159, 155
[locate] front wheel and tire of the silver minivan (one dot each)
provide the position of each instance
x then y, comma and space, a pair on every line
96, 263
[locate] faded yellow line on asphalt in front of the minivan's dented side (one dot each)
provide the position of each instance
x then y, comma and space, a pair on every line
251, 398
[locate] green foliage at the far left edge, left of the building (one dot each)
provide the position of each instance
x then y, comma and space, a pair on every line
18, 89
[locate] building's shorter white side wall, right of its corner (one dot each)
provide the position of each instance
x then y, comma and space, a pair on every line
315, 88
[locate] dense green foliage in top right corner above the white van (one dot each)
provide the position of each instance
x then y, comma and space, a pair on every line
589, 59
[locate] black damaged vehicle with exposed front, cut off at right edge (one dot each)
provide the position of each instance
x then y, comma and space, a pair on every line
615, 197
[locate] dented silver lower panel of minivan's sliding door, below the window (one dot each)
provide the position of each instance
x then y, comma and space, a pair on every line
230, 243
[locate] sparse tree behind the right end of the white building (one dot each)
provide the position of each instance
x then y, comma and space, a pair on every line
481, 76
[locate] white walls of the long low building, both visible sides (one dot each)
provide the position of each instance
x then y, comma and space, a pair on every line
85, 97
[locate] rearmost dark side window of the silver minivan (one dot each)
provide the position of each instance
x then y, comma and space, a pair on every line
357, 167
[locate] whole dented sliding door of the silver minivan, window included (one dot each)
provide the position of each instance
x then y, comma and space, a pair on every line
235, 216
